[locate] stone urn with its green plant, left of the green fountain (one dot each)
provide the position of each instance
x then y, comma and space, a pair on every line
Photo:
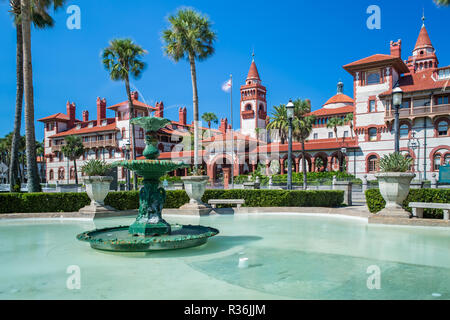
97, 184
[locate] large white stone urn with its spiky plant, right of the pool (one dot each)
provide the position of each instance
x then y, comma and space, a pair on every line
394, 182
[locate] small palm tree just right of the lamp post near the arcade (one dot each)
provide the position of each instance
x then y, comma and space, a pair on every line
302, 126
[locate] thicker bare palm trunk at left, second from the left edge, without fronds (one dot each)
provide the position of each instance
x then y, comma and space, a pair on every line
32, 170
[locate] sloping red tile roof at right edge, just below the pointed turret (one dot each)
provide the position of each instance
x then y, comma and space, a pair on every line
419, 81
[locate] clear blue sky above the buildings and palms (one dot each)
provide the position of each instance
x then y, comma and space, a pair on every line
300, 48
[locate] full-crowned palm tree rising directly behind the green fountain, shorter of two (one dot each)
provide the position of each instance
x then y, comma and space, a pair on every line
122, 59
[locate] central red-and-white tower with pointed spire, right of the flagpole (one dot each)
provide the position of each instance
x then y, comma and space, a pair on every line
253, 106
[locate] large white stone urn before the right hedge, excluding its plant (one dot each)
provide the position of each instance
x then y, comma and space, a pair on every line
394, 187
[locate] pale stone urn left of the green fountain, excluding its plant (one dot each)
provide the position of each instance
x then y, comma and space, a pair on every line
97, 188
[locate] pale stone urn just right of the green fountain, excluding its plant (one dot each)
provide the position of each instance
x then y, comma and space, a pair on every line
195, 187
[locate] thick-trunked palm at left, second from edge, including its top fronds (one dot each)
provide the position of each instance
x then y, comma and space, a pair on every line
28, 10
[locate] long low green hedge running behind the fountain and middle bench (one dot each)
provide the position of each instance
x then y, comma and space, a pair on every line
127, 200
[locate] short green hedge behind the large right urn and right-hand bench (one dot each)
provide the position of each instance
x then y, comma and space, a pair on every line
376, 203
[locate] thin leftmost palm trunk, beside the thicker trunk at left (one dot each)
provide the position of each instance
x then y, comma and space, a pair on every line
13, 164
